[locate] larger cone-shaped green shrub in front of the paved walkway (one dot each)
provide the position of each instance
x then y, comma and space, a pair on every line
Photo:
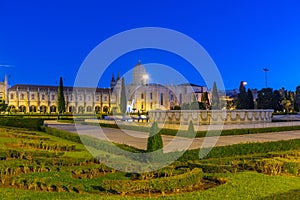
154, 142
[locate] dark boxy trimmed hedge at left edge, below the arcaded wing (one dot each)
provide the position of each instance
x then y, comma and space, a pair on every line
29, 123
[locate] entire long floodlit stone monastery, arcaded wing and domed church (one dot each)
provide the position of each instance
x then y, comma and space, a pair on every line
141, 96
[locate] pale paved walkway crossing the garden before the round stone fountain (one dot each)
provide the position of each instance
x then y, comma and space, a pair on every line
171, 143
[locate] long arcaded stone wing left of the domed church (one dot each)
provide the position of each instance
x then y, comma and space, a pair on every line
34, 98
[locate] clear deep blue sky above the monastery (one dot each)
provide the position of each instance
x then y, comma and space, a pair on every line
42, 40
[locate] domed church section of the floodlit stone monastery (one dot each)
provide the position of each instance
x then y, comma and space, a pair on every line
143, 96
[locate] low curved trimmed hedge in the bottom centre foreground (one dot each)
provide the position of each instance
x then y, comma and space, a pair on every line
162, 185
